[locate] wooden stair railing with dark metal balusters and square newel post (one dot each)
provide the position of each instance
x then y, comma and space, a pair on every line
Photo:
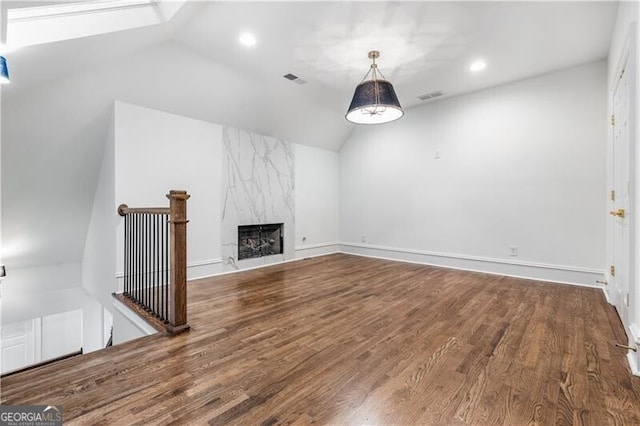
155, 263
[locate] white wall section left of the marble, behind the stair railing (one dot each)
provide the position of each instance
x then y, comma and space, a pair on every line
156, 152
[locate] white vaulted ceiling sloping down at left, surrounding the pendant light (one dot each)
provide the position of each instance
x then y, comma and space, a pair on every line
56, 111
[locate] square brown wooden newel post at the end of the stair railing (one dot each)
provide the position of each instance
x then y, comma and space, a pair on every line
178, 260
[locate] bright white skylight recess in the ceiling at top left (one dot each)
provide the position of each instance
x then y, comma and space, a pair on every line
27, 26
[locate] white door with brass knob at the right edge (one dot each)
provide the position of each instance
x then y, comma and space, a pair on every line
620, 199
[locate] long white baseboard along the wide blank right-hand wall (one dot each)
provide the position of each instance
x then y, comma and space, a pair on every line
520, 269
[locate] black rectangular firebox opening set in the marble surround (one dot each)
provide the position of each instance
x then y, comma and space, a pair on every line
260, 240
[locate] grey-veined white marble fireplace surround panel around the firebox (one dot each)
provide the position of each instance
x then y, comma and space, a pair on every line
258, 188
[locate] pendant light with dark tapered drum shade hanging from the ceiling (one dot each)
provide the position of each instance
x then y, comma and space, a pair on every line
374, 100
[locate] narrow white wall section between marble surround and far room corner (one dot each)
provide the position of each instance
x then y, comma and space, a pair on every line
317, 195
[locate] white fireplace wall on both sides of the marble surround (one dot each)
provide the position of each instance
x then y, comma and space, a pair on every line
157, 151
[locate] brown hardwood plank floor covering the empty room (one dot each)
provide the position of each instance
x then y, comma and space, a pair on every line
349, 340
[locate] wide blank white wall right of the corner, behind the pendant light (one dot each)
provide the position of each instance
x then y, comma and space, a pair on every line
519, 164
